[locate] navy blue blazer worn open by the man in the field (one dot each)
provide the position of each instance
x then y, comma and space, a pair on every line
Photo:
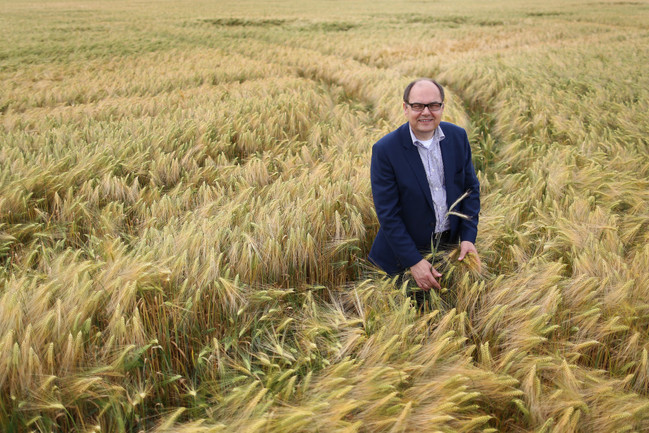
403, 201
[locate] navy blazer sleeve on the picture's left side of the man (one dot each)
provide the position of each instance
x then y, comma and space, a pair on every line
385, 193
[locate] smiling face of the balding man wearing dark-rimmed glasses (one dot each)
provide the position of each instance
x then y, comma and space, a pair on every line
423, 123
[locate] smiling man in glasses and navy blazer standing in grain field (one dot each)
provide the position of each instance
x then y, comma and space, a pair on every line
418, 171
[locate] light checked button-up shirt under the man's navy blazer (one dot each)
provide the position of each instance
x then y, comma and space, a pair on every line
431, 156
